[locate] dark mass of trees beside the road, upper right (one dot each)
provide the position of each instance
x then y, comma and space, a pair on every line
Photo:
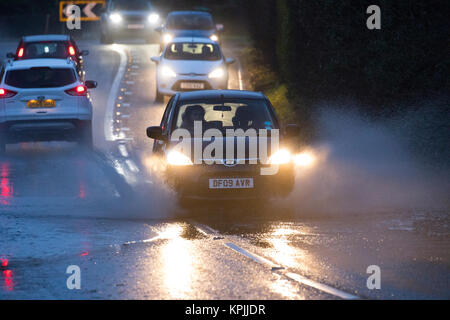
322, 49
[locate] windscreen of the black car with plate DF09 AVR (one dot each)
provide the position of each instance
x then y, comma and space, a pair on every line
228, 114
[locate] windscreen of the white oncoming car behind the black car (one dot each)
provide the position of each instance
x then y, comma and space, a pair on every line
192, 51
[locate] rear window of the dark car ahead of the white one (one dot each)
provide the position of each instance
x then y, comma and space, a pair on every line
50, 49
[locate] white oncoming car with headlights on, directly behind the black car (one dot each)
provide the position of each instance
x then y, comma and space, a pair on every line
188, 64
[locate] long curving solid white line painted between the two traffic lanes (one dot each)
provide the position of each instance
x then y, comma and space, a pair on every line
109, 131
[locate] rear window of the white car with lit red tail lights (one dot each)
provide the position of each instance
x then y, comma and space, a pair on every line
40, 77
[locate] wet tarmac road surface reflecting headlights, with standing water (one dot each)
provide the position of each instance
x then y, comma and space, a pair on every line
109, 214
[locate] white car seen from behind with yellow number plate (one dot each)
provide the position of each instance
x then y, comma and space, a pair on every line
44, 100
